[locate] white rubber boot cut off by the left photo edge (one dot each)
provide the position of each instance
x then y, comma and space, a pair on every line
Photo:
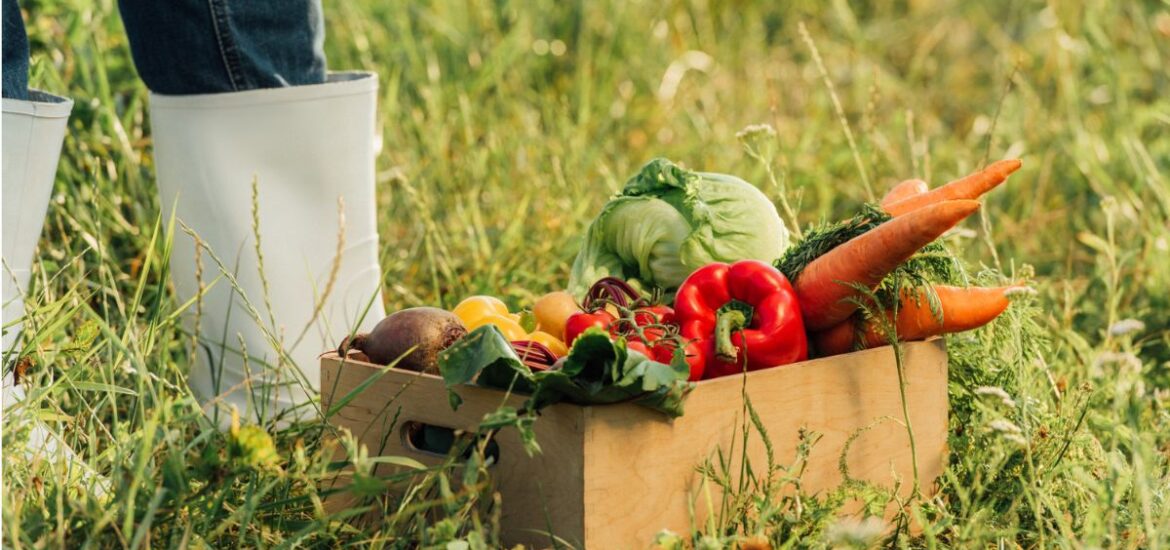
33, 134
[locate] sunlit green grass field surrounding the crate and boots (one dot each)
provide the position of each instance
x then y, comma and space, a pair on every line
545, 108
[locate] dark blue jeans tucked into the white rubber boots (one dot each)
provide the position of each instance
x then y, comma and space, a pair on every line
184, 47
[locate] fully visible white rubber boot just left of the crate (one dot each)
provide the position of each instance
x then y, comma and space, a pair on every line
260, 333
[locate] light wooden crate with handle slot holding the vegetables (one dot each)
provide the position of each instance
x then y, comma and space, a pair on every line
612, 477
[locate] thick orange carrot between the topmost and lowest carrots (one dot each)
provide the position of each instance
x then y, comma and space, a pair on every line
827, 285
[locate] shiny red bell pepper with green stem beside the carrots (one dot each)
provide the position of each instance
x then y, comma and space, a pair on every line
744, 315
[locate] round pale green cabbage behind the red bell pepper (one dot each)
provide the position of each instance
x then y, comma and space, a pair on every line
669, 222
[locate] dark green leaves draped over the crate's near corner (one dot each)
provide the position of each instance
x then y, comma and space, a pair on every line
597, 372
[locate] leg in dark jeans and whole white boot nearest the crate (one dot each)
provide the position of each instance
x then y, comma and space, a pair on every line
240, 95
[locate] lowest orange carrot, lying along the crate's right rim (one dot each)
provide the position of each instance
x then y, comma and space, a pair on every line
962, 310
